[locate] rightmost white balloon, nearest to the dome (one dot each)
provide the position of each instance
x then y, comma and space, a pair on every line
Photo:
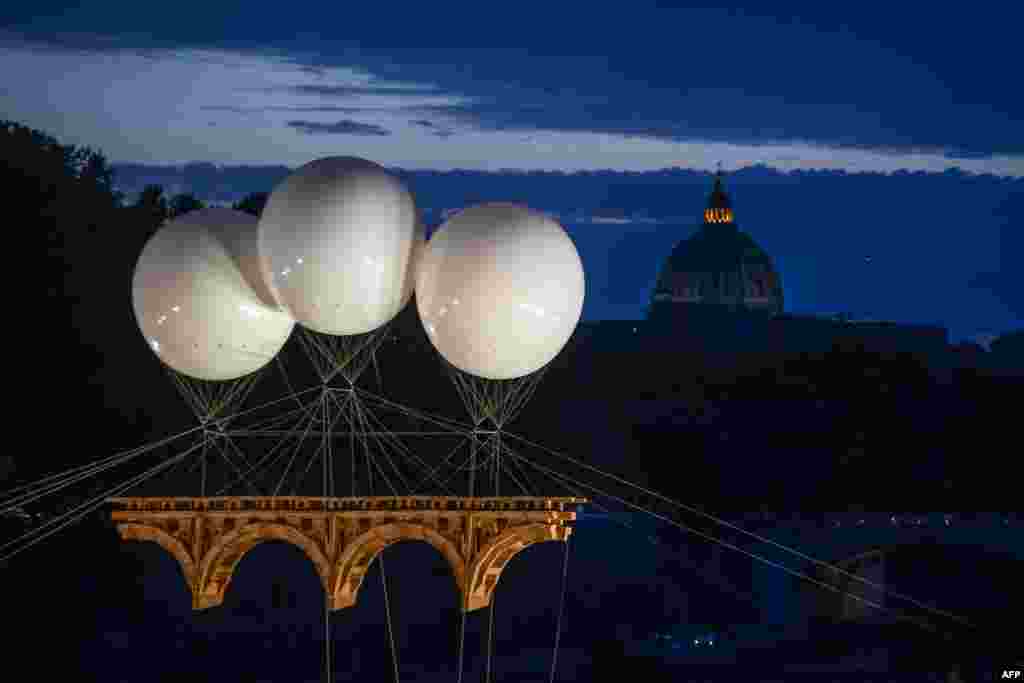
500, 290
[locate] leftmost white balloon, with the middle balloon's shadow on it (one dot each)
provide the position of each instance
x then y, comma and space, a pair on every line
200, 300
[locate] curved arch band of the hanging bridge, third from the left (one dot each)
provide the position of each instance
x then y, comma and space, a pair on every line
360, 554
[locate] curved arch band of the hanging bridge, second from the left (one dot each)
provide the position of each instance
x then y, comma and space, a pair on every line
220, 562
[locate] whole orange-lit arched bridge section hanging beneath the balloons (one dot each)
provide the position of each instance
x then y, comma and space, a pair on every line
343, 536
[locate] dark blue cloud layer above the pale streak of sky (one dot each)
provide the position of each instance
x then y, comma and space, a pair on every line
739, 78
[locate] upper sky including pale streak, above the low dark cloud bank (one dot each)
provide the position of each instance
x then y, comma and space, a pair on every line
539, 86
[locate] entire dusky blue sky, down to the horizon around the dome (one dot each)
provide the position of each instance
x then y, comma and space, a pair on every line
863, 92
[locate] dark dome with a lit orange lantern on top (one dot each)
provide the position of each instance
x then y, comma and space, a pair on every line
719, 267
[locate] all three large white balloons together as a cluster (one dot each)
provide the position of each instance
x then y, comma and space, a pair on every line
339, 249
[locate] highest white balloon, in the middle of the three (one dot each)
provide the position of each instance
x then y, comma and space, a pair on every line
338, 242
